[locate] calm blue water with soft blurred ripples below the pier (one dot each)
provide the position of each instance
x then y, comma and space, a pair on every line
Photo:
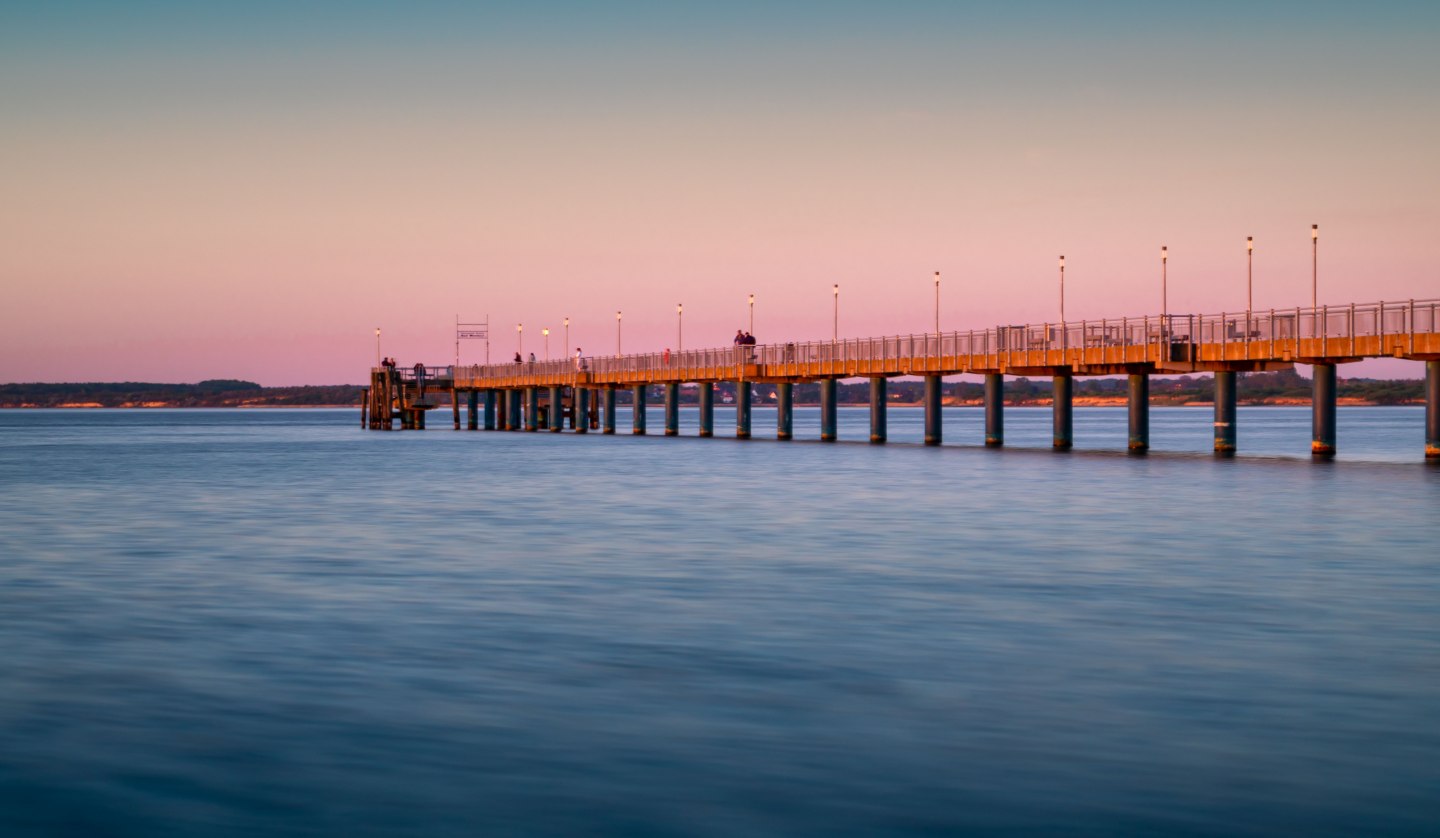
225, 623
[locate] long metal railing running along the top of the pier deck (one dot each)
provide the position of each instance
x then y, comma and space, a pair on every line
1275, 330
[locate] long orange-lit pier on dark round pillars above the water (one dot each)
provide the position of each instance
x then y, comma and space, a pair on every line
581, 394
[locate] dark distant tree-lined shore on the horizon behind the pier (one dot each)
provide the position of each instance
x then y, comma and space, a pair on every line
1254, 388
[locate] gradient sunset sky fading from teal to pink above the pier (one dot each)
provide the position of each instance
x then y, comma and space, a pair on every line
248, 191
